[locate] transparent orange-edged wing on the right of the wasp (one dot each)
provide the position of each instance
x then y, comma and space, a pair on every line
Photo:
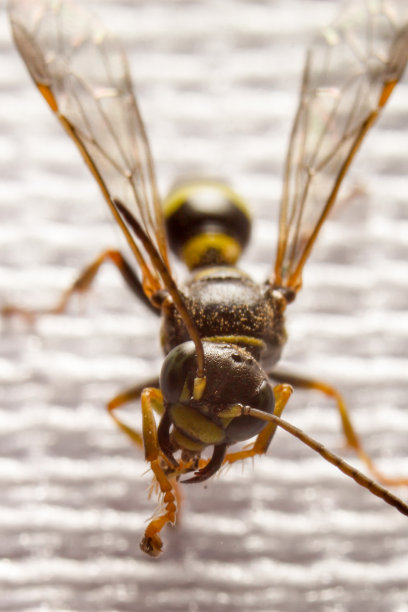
349, 74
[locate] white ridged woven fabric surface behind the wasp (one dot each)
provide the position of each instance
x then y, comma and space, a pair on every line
217, 84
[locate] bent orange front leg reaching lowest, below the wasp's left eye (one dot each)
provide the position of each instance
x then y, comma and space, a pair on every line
151, 542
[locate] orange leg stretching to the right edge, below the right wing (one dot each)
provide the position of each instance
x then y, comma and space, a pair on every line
352, 439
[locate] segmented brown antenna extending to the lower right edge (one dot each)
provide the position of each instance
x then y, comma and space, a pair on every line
332, 458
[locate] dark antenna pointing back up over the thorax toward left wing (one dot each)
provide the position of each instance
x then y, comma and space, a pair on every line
170, 285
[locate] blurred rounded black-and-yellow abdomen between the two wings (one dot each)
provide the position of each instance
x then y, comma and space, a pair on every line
207, 223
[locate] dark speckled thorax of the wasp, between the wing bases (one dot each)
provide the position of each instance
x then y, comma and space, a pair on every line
227, 305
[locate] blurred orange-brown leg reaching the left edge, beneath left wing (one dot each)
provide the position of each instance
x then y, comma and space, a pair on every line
83, 284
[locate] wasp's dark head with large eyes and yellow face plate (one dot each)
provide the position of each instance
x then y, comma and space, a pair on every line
233, 377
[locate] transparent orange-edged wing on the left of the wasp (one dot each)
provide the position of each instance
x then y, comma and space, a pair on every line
83, 74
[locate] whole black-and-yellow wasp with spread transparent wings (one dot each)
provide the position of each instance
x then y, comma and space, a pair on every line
221, 332
